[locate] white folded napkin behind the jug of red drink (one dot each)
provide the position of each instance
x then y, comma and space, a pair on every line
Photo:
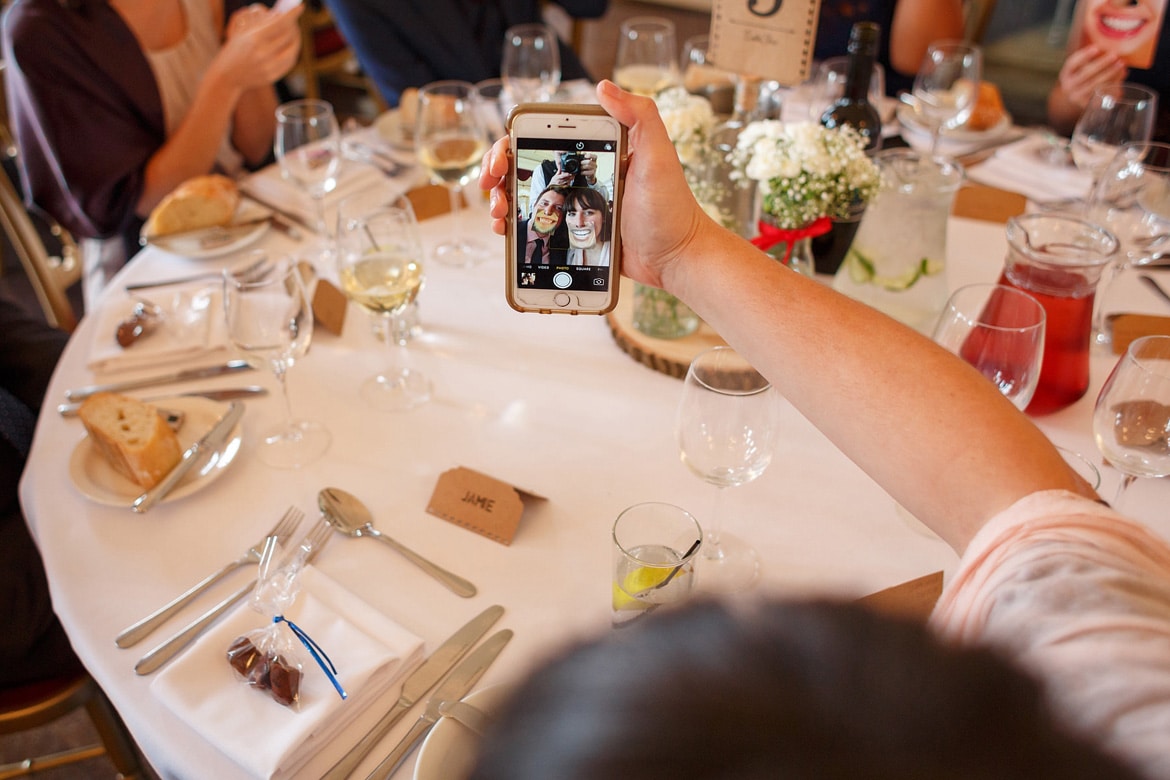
1023, 168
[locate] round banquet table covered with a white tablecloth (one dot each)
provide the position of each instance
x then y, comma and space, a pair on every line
548, 404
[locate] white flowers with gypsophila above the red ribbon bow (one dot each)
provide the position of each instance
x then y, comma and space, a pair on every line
806, 171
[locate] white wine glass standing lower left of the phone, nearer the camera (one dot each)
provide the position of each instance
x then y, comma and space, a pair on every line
380, 266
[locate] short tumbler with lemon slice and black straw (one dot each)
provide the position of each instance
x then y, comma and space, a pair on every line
655, 551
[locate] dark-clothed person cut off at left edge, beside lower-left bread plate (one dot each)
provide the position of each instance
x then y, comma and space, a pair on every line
33, 645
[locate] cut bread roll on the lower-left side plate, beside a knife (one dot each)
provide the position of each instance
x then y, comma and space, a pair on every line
132, 437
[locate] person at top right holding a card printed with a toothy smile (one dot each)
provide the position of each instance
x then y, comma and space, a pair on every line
1100, 54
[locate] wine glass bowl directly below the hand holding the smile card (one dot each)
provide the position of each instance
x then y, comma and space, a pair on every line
1116, 115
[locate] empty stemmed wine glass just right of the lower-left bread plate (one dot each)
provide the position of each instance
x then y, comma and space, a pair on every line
271, 320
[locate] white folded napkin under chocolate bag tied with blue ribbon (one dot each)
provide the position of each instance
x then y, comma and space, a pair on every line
264, 737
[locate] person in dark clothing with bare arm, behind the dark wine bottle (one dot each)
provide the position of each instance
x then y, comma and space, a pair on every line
907, 29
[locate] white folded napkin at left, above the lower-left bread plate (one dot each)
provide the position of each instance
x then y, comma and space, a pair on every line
192, 332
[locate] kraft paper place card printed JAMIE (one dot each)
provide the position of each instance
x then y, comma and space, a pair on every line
480, 503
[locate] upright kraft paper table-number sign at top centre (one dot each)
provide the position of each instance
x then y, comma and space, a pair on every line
768, 39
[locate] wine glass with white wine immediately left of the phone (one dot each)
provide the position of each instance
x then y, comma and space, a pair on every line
450, 140
